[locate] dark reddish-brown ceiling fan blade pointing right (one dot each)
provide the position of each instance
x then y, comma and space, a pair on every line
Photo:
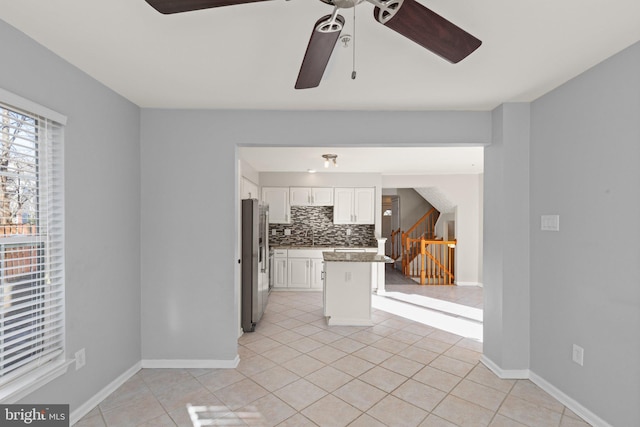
428, 29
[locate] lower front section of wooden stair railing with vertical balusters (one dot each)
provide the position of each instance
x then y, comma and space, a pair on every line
433, 261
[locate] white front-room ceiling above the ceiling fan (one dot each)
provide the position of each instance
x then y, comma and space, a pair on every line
248, 56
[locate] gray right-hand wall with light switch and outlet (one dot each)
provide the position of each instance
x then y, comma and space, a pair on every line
585, 279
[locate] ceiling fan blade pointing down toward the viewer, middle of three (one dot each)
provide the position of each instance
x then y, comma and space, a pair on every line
323, 40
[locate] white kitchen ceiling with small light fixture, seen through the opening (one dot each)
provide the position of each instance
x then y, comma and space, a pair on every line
387, 161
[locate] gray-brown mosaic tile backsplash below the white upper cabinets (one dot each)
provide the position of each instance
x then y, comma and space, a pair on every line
313, 225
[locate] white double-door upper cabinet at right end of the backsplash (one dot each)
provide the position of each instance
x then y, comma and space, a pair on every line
354, 206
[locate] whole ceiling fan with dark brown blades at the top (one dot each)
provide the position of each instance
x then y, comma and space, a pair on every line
407, 17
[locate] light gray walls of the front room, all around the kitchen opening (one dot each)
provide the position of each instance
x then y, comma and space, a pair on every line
583, 151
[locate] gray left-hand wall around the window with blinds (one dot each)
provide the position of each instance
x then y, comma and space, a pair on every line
102, 191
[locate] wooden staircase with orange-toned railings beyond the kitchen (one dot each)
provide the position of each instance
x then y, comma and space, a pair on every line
422, 255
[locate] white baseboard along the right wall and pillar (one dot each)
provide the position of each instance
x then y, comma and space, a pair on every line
522, 374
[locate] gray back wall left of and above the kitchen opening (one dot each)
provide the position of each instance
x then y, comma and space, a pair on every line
189, 206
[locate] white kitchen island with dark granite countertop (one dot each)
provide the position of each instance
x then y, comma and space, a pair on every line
347, 286
